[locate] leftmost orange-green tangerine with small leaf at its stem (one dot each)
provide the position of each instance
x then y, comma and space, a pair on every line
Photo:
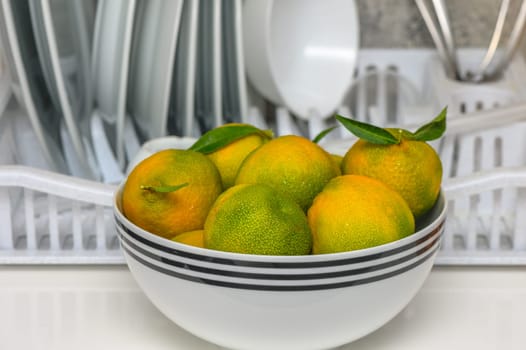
148, 202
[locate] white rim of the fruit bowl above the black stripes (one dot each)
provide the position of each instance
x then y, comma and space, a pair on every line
302, 260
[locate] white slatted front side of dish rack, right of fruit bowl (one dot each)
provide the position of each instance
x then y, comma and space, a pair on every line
486, 222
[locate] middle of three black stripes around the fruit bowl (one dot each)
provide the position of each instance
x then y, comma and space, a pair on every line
216, 272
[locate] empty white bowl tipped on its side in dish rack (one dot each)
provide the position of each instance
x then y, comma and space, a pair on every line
301, 54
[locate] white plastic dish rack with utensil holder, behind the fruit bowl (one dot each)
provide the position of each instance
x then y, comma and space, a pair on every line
48, 218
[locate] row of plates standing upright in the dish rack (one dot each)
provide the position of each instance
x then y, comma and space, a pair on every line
96, 79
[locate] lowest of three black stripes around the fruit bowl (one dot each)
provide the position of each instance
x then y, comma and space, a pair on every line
284, 288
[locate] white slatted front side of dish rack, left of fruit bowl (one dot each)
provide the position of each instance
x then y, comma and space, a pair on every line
51, 218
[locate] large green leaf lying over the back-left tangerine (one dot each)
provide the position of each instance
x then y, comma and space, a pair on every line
222, 136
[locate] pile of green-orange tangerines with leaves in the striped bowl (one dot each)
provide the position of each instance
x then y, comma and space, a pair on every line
239, 189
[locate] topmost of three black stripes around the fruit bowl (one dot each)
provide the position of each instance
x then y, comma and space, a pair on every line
264, 264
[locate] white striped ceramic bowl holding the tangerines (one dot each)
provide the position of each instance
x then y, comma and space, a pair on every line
280, 302
